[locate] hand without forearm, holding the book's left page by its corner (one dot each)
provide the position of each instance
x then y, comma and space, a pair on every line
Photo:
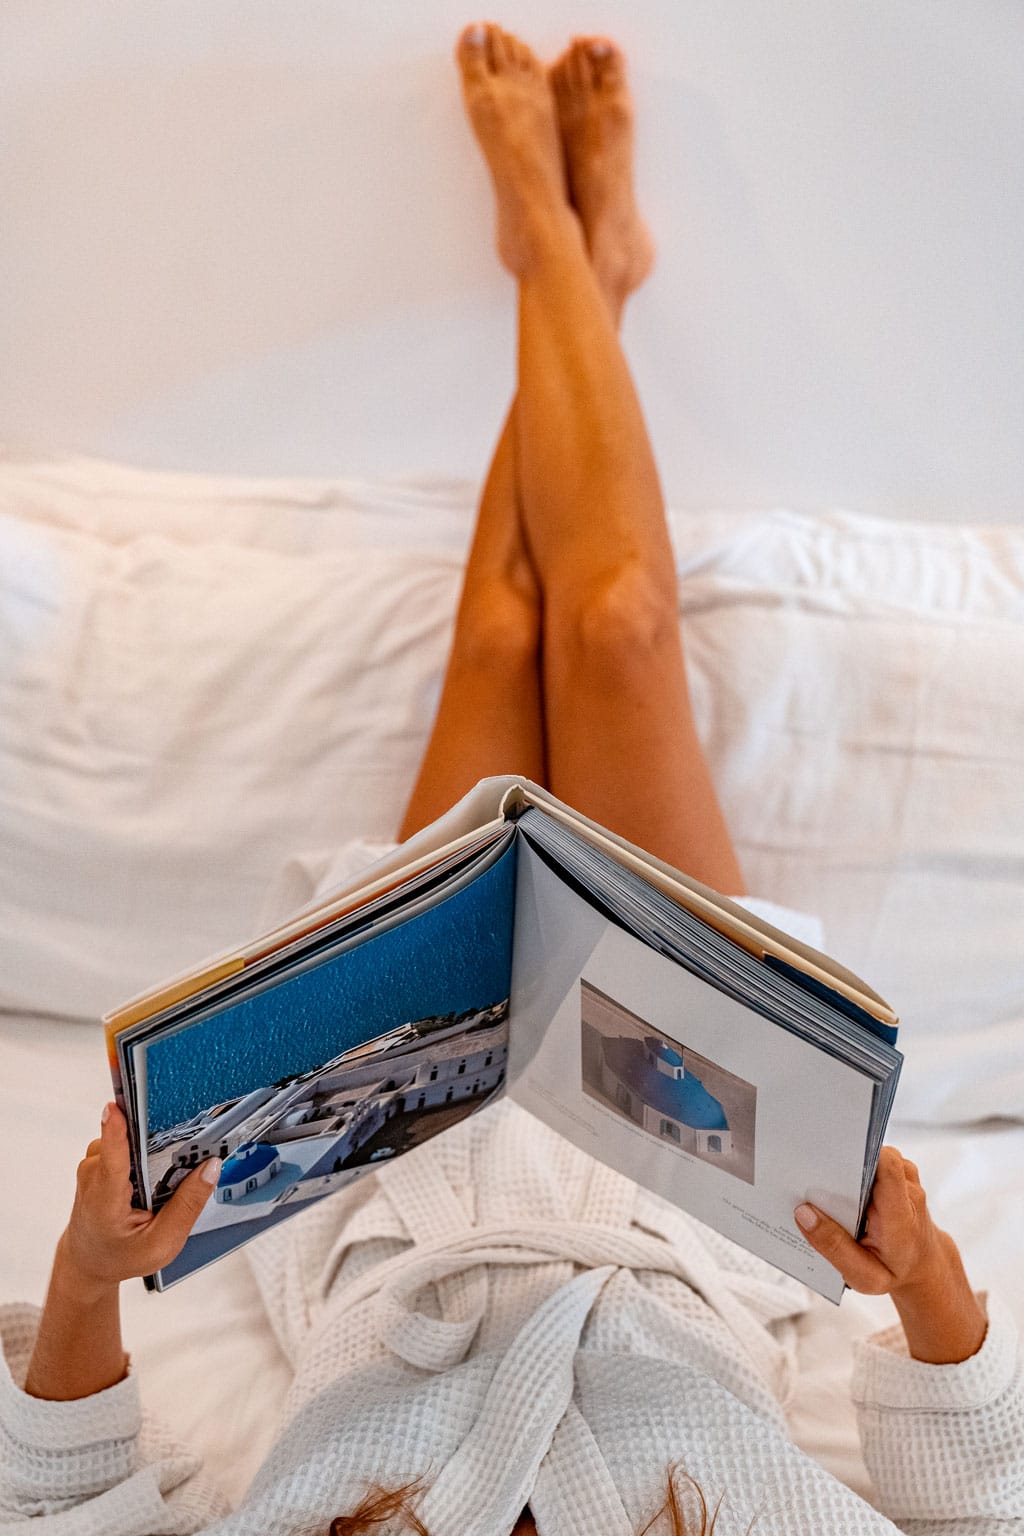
107, 1240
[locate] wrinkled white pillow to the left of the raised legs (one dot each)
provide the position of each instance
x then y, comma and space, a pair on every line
199, 680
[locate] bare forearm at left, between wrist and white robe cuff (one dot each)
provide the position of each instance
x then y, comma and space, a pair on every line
79, 1346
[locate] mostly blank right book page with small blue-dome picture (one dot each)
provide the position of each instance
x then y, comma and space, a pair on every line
676, 1085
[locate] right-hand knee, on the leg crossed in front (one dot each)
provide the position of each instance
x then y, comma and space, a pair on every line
623, 621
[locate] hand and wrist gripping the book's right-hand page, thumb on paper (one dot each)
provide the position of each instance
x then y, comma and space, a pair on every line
903, 1254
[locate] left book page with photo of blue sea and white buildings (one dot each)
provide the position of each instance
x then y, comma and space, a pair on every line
306, 1087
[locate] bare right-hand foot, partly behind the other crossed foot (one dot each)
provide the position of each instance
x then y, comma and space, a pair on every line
596, 124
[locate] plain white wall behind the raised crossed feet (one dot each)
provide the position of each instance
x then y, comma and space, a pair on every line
256, 236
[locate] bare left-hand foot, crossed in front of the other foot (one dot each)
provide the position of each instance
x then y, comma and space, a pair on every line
510, 105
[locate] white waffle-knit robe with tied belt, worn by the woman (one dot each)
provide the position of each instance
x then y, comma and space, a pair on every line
517, 1323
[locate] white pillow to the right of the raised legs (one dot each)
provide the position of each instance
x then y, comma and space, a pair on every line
860, 689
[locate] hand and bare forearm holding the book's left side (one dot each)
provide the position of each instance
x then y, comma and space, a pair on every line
79, 1345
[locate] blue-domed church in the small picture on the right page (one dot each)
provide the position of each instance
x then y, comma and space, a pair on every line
647, 1081
